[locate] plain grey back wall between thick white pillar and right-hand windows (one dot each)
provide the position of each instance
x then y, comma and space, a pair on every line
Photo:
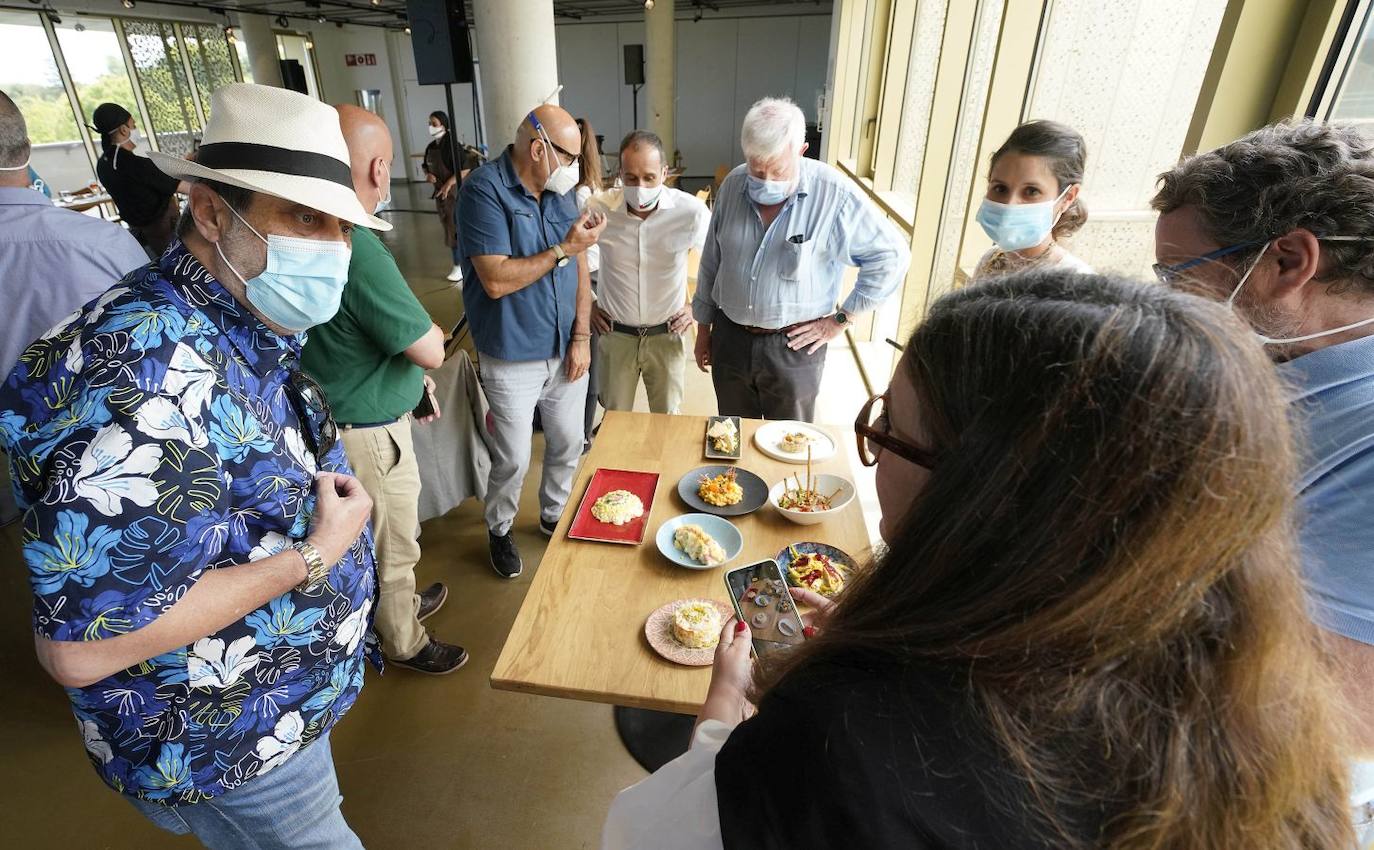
723, 67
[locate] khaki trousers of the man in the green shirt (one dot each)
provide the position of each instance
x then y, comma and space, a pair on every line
384, 462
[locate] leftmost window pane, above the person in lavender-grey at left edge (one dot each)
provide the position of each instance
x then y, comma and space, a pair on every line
30, 75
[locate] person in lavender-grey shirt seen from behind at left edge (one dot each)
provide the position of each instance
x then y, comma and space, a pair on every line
54, 260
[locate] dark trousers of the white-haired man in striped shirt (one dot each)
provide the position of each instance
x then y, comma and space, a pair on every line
758, 377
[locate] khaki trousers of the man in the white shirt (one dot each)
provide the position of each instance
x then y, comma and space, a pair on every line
622, 359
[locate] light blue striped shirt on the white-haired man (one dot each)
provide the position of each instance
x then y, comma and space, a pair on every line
792, 271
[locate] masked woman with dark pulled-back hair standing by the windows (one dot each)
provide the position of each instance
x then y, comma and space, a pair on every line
1034, 200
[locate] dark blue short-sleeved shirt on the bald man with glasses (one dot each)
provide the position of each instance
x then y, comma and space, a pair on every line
497, 215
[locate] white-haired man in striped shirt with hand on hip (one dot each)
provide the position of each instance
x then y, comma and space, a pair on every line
769, 288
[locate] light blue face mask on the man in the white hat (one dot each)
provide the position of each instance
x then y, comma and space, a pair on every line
303, 282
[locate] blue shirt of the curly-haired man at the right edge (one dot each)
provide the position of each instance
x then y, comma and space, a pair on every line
1335, 407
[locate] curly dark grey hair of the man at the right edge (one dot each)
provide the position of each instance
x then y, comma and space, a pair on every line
1279, 179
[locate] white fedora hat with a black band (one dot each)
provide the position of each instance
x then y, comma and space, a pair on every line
277, 142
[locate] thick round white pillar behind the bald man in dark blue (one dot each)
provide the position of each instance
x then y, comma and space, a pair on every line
520, 64
